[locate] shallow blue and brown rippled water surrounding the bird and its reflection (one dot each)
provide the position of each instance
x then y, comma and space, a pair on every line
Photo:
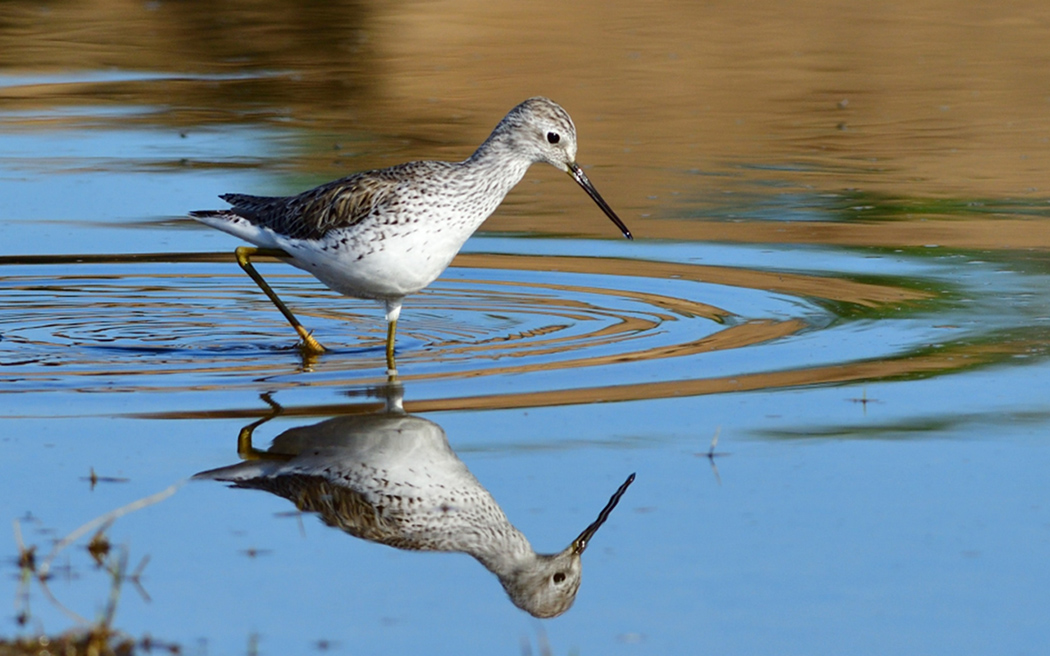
841, 270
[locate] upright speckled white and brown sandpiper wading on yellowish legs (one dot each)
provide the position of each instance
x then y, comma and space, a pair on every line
387, 234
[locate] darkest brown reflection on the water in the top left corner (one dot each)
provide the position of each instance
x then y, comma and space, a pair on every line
203, 62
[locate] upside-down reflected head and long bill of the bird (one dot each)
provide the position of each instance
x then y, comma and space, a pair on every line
549, 586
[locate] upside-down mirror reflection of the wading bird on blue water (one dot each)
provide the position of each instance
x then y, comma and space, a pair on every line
392, 478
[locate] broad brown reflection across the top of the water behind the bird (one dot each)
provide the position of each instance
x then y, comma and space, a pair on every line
938, 98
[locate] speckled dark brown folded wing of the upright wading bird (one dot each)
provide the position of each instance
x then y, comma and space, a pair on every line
312, 215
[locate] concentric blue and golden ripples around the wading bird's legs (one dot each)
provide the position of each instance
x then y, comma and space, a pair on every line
171, 323
